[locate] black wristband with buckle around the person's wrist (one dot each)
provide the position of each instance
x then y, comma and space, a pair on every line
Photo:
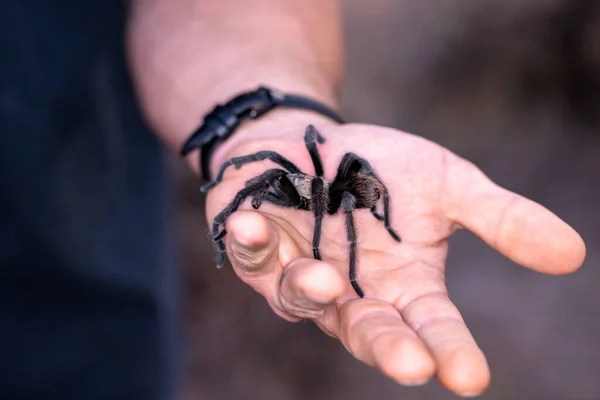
223, 120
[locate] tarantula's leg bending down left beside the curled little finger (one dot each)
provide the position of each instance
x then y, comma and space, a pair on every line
253, 187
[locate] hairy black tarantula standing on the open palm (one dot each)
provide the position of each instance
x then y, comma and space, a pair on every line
355, 186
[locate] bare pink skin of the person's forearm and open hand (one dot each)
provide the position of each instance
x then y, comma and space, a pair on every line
188, 55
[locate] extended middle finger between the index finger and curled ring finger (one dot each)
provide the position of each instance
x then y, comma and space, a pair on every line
374, 332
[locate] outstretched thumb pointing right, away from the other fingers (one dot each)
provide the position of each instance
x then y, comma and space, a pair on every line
522, 230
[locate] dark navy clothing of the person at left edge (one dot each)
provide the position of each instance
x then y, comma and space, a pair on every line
88, 287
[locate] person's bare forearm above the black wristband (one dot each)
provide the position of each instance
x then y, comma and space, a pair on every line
188, 55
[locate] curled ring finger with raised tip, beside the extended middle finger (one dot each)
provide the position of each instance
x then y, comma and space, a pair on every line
307, 286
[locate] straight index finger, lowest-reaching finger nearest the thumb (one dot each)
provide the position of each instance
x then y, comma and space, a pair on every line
462, 367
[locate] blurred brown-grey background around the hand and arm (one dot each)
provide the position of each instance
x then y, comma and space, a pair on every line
512, 85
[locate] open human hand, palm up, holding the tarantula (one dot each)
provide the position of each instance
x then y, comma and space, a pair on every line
406, 326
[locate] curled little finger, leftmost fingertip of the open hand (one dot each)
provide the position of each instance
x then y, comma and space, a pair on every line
253, 244
